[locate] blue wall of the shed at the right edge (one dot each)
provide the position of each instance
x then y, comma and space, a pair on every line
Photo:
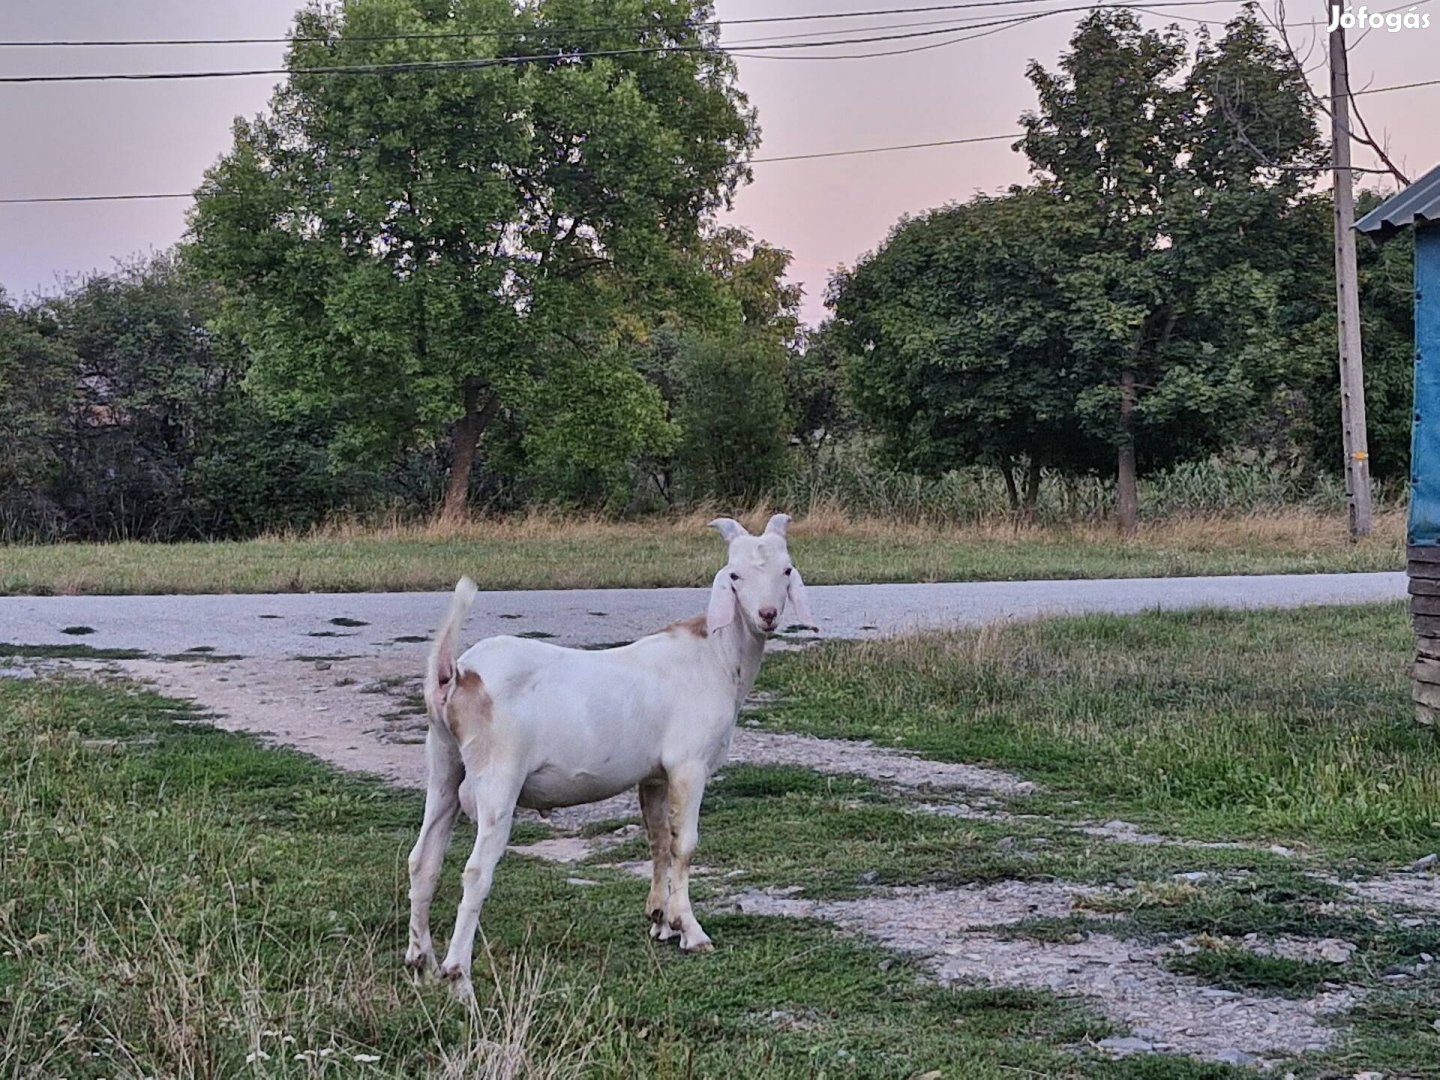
1425, 444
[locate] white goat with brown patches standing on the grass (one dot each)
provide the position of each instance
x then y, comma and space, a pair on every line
521, 722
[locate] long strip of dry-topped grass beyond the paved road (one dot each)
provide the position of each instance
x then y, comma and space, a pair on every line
559, 554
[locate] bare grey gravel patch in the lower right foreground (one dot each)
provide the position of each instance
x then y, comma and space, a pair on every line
951, 932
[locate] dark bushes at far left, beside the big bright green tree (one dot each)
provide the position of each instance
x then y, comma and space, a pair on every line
117, 378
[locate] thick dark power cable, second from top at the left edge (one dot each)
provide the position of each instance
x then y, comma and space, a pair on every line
479, 64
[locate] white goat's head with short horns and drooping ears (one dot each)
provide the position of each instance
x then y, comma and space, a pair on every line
758, 580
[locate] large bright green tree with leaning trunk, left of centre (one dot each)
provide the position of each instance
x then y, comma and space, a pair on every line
411, 251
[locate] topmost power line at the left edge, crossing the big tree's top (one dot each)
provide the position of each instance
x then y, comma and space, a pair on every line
518, 32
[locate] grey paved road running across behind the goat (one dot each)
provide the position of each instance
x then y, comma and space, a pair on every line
377, 624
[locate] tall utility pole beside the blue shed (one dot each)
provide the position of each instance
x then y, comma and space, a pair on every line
1347, 296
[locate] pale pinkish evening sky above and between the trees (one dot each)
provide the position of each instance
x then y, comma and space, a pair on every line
100, 139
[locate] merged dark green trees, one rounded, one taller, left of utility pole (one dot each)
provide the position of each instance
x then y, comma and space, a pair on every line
1131, 303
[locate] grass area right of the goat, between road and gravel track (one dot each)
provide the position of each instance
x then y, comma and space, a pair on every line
1290, 728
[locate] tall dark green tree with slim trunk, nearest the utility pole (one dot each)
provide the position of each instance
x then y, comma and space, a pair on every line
1176, 186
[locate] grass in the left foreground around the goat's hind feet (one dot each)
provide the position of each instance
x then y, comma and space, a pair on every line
179, 899
